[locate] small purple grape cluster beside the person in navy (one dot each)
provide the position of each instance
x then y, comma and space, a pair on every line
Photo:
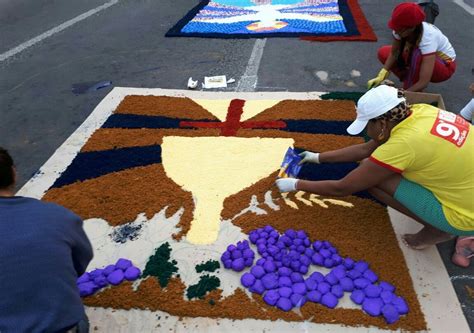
90, 282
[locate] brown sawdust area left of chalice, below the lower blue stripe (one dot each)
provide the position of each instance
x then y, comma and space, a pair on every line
120, 196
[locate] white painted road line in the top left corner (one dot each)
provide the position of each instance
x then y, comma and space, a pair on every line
55, 30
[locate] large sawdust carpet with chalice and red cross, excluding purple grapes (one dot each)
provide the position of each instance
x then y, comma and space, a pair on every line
169, 182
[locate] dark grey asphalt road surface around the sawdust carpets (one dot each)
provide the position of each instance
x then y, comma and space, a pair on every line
125, 44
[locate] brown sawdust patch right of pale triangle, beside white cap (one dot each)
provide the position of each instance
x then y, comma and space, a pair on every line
309, 109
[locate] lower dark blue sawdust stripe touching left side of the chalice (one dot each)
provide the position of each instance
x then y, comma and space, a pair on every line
94, 164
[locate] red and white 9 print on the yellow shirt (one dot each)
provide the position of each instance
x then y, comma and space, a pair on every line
451, 127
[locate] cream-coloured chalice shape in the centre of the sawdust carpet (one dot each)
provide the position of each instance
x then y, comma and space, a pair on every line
213, 168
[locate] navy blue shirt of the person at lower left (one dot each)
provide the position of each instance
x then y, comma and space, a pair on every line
43, 249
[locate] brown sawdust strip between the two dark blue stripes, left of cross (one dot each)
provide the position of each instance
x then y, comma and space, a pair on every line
114, 138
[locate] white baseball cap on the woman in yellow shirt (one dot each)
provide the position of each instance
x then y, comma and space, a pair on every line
372, 104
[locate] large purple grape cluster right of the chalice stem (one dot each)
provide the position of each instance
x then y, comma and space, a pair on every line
280, 274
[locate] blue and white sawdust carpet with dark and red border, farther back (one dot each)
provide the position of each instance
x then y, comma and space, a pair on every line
322, 20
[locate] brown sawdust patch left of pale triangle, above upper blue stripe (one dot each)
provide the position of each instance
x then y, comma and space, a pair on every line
165, 106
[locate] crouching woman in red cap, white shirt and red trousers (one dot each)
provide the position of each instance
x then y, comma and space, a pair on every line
420, 53
